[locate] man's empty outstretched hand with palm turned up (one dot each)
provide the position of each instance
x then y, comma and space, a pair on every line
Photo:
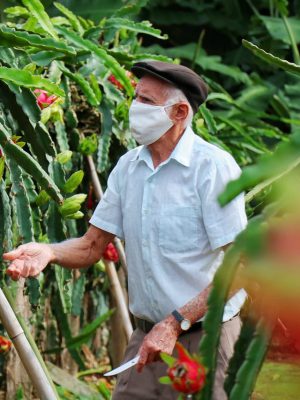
28, 260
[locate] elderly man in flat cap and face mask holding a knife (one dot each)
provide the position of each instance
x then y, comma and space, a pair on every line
161, 199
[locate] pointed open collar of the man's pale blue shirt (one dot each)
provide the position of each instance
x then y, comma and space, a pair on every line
182, 152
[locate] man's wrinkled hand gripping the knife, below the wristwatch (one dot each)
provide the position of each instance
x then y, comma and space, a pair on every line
161, 338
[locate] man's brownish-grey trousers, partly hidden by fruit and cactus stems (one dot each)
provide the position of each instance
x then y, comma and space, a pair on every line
132, 385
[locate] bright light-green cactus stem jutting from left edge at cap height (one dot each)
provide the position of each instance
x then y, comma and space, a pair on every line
26, 79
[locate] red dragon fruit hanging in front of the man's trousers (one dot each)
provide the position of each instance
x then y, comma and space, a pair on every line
187, 374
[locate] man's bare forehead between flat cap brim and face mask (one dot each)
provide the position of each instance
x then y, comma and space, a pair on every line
152, 86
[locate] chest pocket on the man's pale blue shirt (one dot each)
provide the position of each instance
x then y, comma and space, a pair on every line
179, 228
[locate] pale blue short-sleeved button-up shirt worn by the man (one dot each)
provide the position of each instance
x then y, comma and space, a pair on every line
172, 224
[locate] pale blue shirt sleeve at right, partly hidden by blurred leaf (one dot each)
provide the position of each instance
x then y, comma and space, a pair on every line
222, 224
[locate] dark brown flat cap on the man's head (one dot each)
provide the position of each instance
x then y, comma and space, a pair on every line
178, 75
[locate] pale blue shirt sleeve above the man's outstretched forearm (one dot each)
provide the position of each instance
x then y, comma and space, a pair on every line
108, 213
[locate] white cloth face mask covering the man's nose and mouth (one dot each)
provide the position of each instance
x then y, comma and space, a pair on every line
148, 123
